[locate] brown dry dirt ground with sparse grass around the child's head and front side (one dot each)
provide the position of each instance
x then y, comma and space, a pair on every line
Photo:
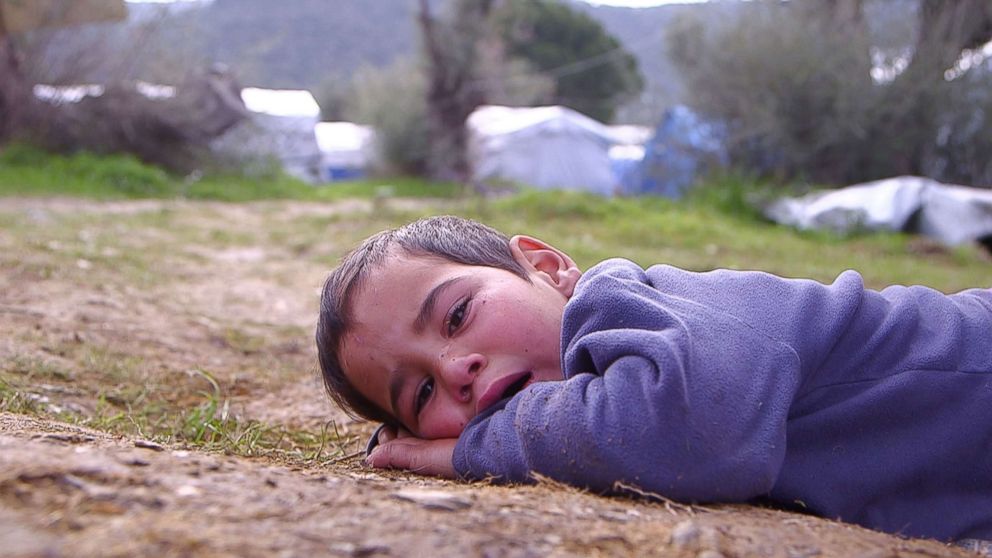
159, 398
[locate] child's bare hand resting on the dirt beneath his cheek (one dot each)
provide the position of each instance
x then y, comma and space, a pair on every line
404, 451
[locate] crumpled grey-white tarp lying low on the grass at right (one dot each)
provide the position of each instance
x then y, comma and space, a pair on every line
948, 213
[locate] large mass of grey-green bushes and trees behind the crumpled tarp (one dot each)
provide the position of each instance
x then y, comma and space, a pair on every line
801, 89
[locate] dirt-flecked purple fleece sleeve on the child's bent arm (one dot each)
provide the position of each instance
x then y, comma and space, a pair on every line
664, 392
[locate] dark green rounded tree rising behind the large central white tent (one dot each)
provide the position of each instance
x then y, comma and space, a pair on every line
593, 74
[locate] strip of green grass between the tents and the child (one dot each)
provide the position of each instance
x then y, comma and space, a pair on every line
716, 226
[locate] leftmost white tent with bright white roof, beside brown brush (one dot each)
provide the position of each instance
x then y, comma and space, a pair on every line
281, 128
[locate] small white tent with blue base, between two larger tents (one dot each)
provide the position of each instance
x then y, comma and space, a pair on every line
346, 149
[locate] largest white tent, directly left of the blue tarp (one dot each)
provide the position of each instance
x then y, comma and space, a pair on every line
545, 147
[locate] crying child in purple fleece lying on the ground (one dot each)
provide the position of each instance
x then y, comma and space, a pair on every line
497, 358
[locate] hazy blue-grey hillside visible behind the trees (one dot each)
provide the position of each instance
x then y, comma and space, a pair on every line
304, 43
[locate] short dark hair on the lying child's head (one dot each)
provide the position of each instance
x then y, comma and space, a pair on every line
447, 237
